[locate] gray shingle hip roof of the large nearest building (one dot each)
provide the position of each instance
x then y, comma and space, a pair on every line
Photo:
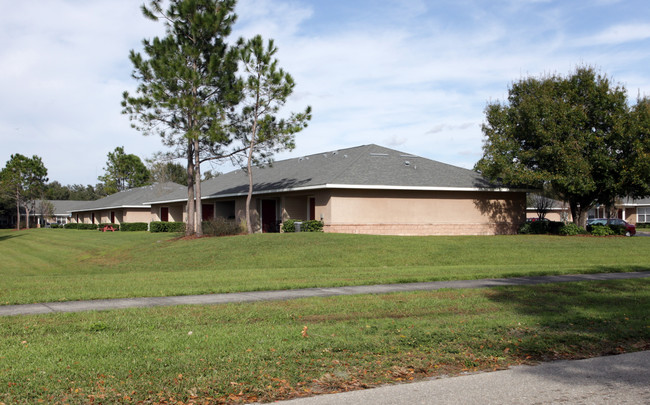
367, 166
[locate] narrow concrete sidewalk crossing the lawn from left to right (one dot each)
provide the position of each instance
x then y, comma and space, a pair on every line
211, 299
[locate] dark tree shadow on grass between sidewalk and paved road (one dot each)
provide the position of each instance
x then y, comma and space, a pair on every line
579, 320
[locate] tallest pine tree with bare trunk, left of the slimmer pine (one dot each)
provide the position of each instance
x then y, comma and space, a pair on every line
187, 81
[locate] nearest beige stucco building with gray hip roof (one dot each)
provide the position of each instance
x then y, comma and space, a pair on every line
367, 189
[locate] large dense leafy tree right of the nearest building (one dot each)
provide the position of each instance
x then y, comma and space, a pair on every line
575, 134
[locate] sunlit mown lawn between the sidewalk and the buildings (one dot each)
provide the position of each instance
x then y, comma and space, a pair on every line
58, 265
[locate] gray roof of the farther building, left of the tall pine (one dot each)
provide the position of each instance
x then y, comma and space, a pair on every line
132, 198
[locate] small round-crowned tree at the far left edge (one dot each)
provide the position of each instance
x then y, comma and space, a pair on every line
23, 179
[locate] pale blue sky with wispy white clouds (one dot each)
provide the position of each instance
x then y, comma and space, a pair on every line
414, 75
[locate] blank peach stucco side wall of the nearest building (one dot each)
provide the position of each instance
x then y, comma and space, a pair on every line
423, 213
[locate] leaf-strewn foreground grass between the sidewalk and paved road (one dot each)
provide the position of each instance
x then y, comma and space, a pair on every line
248, 352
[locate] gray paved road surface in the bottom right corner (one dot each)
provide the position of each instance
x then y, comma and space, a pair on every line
622, 379
